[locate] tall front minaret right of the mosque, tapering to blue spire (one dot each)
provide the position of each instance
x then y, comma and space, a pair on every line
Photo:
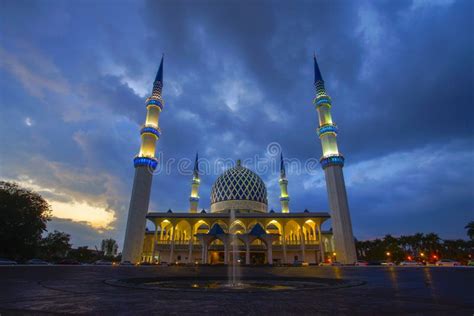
332, 162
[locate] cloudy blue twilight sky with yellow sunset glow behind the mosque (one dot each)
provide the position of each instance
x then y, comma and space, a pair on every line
238, 76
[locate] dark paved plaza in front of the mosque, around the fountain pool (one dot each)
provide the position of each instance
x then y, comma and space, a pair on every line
388, 290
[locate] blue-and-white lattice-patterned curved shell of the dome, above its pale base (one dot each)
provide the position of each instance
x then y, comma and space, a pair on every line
239, 183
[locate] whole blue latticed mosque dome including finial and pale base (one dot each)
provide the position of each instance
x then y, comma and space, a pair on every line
239, 188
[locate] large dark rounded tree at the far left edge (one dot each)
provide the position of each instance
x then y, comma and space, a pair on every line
23, 218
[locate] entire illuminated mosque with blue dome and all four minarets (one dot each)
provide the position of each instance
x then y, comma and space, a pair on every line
238, 227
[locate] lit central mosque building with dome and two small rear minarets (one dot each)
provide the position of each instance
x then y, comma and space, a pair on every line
238, 227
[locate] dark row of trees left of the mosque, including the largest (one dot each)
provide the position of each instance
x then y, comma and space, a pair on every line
24, 215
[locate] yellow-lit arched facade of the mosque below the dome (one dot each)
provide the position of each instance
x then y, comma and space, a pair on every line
250, 238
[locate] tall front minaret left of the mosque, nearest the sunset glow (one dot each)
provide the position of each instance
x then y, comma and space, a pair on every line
145, 163
